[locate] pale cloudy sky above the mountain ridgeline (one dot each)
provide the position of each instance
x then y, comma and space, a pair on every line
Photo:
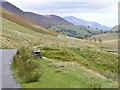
104, 12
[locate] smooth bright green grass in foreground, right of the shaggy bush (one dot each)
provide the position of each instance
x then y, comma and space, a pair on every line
67, 76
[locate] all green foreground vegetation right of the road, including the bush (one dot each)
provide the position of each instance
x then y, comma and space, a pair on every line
65, 67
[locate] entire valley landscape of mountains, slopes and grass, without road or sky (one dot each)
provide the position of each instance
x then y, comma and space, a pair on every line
73, 56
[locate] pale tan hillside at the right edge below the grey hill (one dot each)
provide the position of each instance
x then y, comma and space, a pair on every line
111, 39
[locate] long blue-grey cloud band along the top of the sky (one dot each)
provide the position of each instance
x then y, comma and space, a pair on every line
64, 5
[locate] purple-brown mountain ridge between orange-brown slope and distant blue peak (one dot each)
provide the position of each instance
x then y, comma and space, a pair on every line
45, 20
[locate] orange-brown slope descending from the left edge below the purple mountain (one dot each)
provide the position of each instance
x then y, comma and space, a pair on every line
21, 21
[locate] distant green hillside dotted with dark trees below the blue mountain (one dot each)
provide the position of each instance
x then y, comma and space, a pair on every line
75, 31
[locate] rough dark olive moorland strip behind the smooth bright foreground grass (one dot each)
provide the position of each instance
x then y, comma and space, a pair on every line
103, 63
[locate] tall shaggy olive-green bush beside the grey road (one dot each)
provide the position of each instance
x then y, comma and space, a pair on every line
27, 68
